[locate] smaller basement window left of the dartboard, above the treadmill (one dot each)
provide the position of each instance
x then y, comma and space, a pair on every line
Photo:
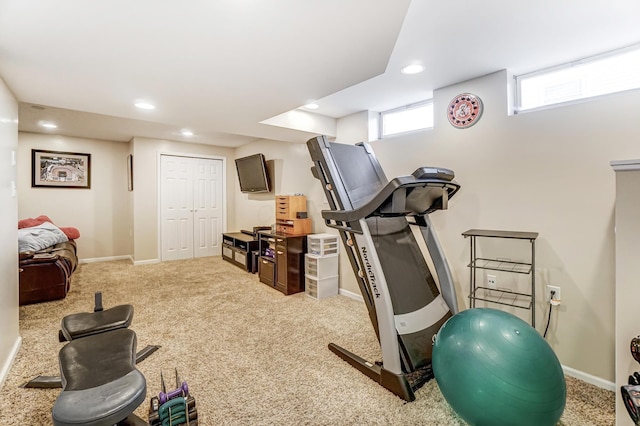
408, 118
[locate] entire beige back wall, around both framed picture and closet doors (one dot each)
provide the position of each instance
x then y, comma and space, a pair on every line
113, 222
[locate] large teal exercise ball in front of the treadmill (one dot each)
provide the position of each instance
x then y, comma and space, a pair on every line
495, 369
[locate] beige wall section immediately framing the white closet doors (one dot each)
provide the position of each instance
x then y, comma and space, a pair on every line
146, 158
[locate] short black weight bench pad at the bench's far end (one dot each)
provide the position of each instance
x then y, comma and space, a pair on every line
85, 324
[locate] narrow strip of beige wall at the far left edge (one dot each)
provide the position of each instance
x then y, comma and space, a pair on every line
9, 337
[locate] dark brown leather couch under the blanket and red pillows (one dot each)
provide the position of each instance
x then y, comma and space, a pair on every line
46, 274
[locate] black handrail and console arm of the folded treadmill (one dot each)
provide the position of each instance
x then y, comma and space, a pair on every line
383, 197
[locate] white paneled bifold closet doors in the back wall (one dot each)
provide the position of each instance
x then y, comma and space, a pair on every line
191, 207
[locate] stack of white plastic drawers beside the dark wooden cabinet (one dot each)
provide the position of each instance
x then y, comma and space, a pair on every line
321, 266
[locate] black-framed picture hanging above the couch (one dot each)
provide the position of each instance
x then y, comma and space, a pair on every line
56, 169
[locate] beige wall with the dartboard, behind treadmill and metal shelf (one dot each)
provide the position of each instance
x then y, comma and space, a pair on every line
545, 171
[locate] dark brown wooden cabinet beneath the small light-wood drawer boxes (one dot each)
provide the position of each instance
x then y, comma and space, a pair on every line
281, 263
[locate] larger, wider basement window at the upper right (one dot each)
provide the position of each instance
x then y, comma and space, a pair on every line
612, 72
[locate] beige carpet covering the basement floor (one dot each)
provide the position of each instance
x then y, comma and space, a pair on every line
250, 355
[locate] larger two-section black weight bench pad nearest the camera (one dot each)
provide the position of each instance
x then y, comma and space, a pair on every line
101, 385
